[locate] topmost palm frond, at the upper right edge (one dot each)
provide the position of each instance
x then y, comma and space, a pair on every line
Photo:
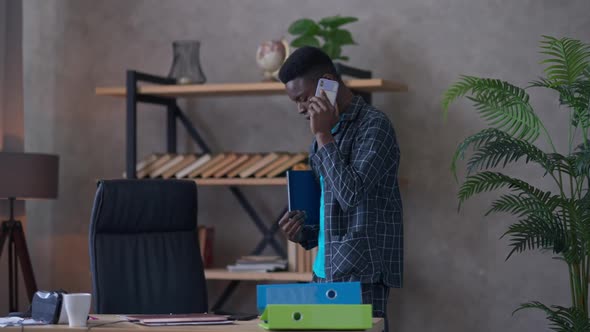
568, 59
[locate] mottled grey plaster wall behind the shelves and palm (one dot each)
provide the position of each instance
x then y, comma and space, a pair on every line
456, 276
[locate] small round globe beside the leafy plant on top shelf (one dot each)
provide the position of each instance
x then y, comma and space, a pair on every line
270, 57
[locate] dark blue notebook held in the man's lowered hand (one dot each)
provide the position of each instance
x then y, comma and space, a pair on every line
304, 194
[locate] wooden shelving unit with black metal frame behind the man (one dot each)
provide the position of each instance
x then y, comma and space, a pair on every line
146, 88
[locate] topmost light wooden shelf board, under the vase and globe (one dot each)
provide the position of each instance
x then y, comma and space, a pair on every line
238, 89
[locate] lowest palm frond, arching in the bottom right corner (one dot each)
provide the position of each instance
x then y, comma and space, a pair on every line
562, 319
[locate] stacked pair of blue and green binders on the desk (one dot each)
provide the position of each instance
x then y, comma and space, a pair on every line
313, 306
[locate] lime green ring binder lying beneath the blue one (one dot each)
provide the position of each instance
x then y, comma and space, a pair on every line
317, 317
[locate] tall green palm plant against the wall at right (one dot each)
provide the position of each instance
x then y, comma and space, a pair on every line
557, 220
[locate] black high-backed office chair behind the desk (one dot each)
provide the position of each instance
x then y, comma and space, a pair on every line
144, 251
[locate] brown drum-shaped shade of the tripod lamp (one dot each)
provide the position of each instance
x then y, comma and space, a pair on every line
28, 175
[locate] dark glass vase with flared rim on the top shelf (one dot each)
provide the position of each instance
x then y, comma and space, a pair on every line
186, 66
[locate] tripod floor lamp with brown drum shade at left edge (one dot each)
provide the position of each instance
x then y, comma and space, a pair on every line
23, 176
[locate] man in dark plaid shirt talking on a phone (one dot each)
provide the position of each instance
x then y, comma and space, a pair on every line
355, 156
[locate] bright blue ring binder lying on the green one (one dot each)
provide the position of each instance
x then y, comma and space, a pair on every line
310, 293
